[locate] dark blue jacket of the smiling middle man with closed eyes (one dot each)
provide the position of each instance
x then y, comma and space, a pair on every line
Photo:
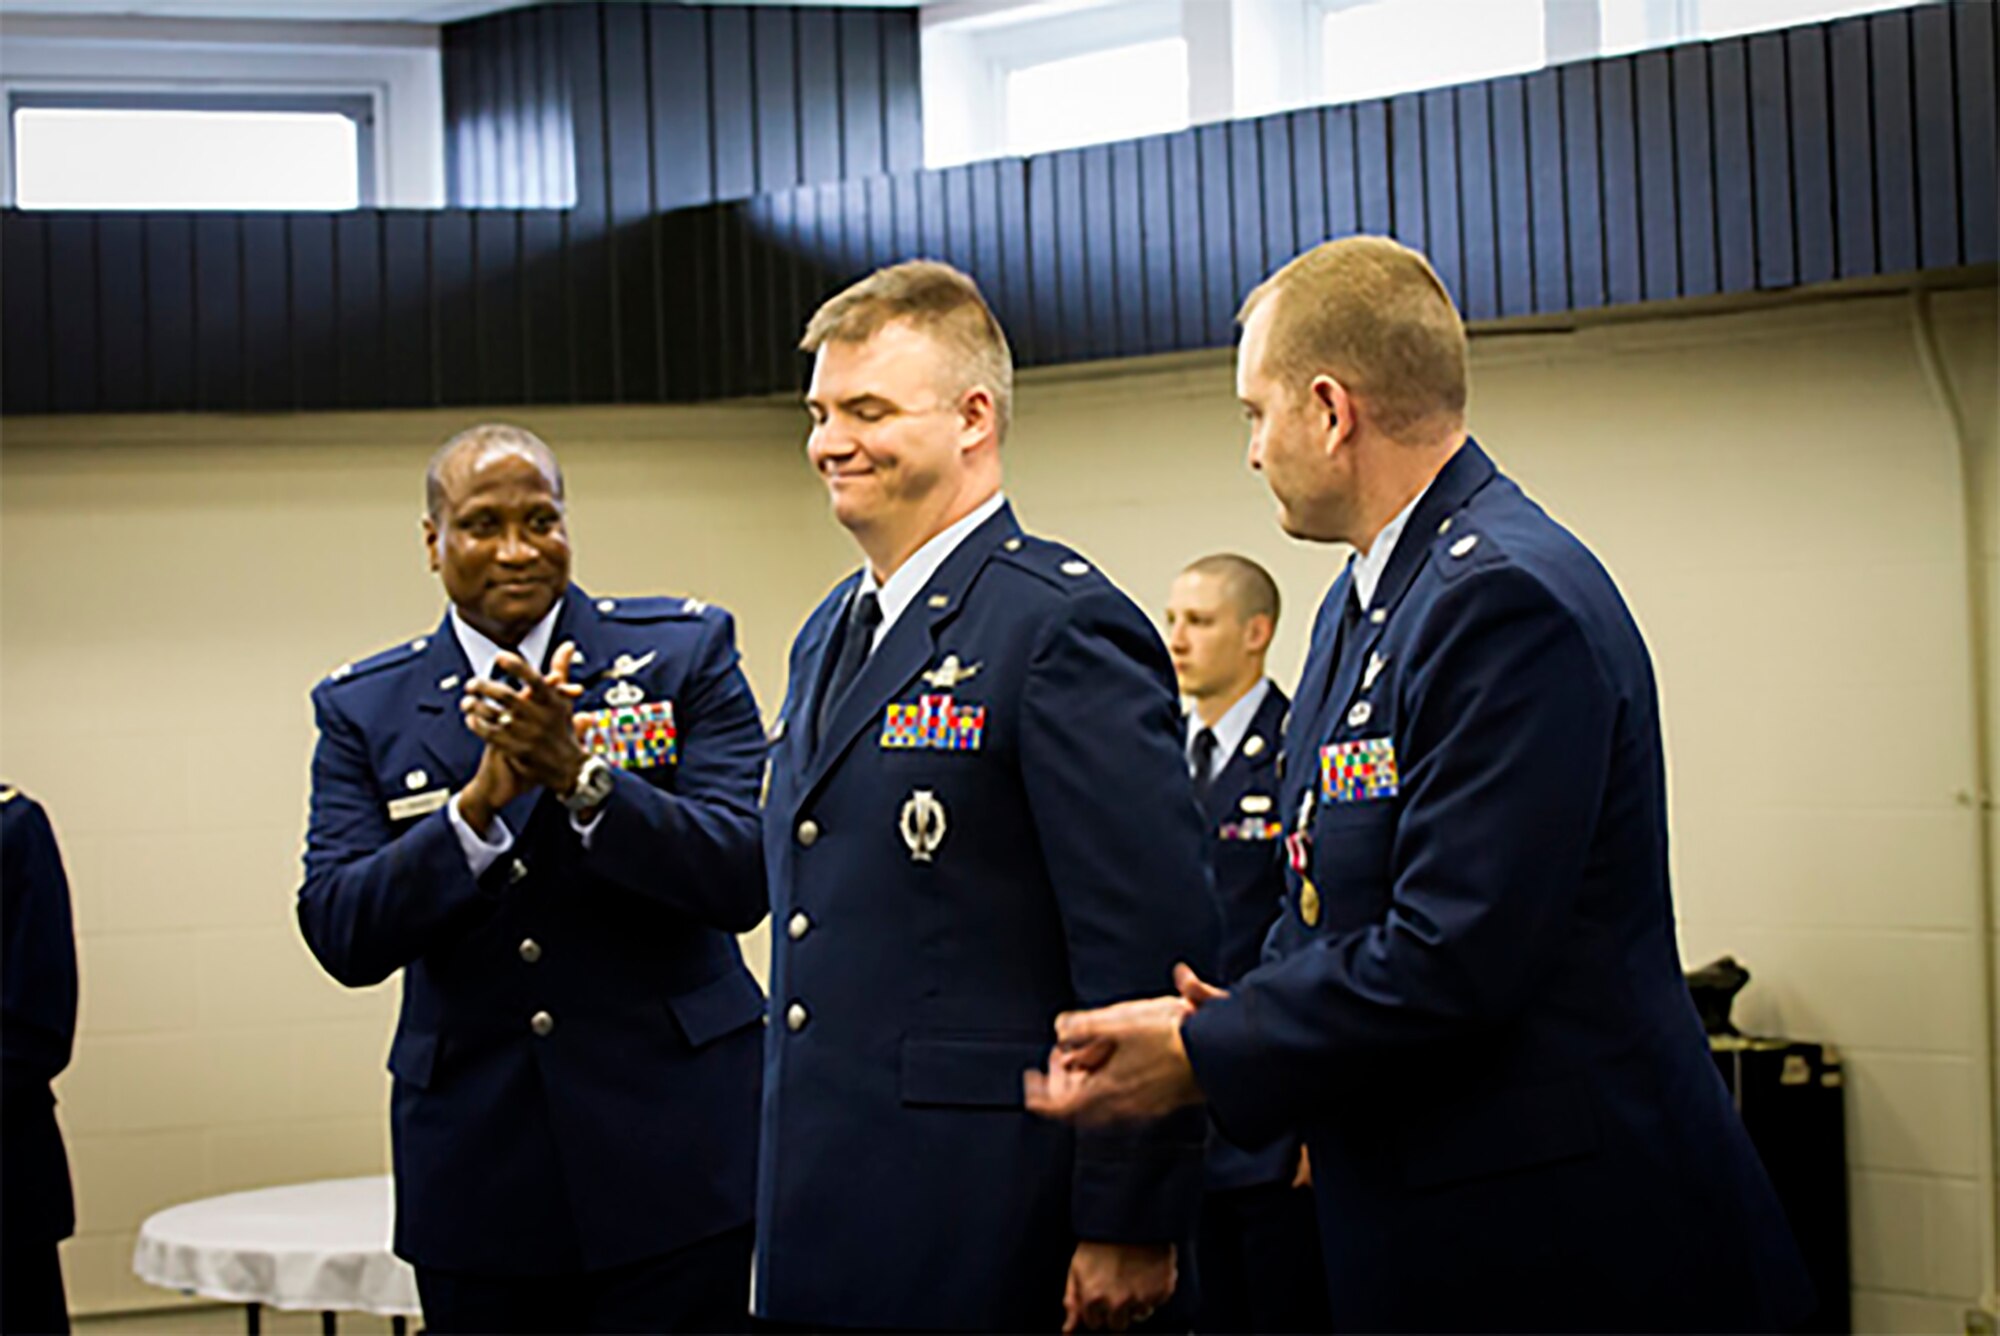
901, 1181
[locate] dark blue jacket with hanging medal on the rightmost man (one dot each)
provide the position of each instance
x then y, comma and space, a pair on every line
1487, 1041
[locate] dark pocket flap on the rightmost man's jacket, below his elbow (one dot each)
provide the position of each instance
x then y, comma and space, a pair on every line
1503, 1133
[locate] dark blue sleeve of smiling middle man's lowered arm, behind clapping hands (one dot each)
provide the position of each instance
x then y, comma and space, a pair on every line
1123, 839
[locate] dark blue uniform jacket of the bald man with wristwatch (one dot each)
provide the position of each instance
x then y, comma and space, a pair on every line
629, 1127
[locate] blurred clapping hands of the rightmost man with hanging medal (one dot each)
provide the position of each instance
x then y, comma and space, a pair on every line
1123, 1063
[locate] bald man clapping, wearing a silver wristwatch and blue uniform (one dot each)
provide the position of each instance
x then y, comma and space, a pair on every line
545, 815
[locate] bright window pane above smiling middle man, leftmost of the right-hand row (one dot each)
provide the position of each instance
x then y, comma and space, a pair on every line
1097, 99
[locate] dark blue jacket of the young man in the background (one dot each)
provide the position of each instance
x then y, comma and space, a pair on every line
1247, 855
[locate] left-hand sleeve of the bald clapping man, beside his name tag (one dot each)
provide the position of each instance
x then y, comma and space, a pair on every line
375, 899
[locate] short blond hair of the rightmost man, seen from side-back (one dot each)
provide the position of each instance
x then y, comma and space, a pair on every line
1373, 315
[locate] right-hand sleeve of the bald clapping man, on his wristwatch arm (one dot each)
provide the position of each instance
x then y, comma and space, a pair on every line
697, 849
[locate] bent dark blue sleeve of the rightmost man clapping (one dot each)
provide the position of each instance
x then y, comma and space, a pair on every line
1509, 737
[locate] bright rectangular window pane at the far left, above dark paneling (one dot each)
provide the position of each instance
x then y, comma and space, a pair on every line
173, 159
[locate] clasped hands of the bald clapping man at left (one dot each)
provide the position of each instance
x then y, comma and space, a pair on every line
529, 733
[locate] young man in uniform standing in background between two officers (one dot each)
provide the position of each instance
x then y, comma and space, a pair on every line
1259, 1247
